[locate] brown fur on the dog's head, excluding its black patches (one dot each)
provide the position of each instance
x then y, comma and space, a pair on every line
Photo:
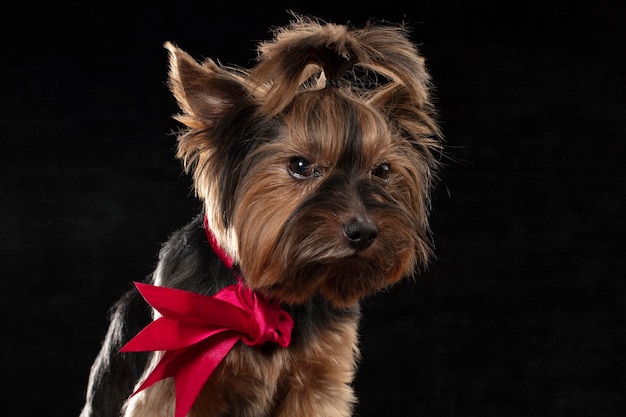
315, 126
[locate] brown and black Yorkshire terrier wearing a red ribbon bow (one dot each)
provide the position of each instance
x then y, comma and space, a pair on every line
315, 168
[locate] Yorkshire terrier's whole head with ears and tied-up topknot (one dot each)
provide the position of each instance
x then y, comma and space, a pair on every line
314, 185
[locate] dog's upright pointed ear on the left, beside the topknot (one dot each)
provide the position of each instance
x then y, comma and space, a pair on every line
204, 92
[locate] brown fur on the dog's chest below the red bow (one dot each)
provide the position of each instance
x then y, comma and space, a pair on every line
309, 381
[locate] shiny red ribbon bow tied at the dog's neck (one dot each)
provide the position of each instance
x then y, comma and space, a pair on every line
197, 331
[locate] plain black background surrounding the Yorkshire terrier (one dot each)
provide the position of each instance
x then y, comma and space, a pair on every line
521, 314
